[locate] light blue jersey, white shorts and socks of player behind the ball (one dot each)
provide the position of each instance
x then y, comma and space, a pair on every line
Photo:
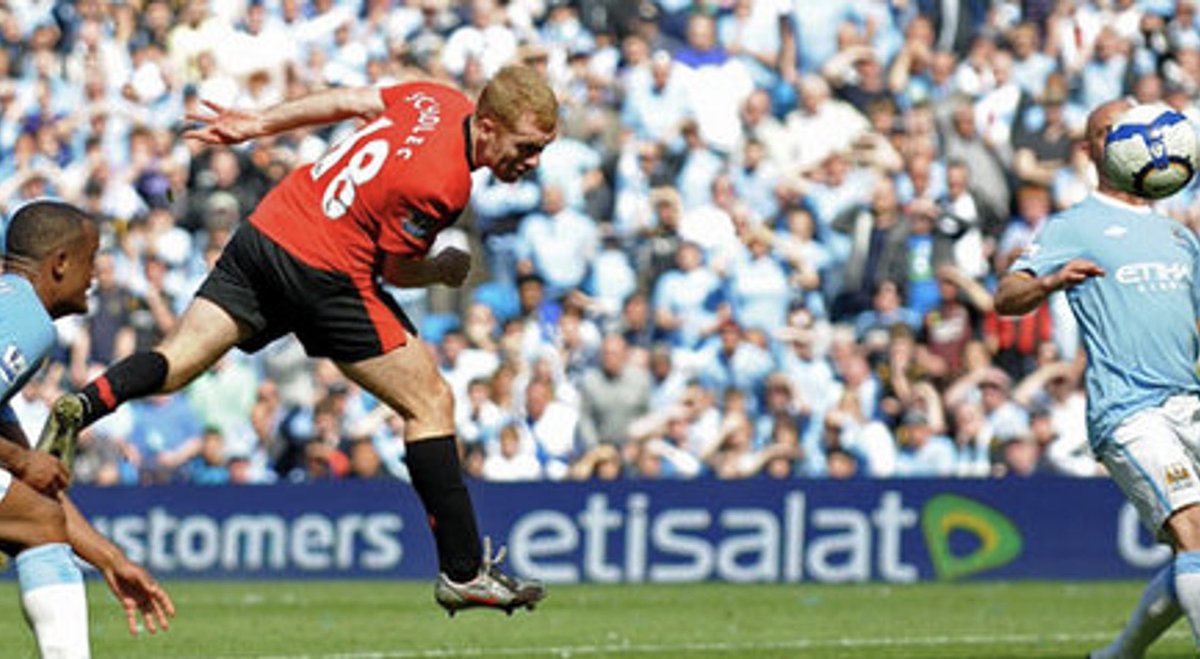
1138, 325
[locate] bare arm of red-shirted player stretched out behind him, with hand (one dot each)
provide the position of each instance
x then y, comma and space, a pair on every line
223, 125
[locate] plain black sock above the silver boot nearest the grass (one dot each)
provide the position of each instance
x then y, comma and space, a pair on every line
437, 477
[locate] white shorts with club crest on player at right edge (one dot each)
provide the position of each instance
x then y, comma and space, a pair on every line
1154, 457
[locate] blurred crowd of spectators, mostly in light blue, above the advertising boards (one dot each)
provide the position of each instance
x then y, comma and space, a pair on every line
763, 245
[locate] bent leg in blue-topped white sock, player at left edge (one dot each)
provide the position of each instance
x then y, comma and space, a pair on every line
52, 591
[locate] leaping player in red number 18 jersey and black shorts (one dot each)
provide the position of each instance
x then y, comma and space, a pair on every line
311, 259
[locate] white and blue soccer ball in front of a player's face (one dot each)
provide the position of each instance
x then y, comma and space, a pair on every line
1151, 152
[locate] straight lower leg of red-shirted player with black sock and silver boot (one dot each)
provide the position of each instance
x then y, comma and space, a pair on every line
409, 381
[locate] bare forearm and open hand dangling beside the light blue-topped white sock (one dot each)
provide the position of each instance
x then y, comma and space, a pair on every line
136, 590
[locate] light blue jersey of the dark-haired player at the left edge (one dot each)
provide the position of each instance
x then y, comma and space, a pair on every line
27, 336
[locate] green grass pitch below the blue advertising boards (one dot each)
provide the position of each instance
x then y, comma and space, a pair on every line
332, 620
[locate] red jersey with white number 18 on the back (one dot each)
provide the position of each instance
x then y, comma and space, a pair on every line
391, 187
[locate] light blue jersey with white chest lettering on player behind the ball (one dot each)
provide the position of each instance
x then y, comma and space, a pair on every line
1139, 320
